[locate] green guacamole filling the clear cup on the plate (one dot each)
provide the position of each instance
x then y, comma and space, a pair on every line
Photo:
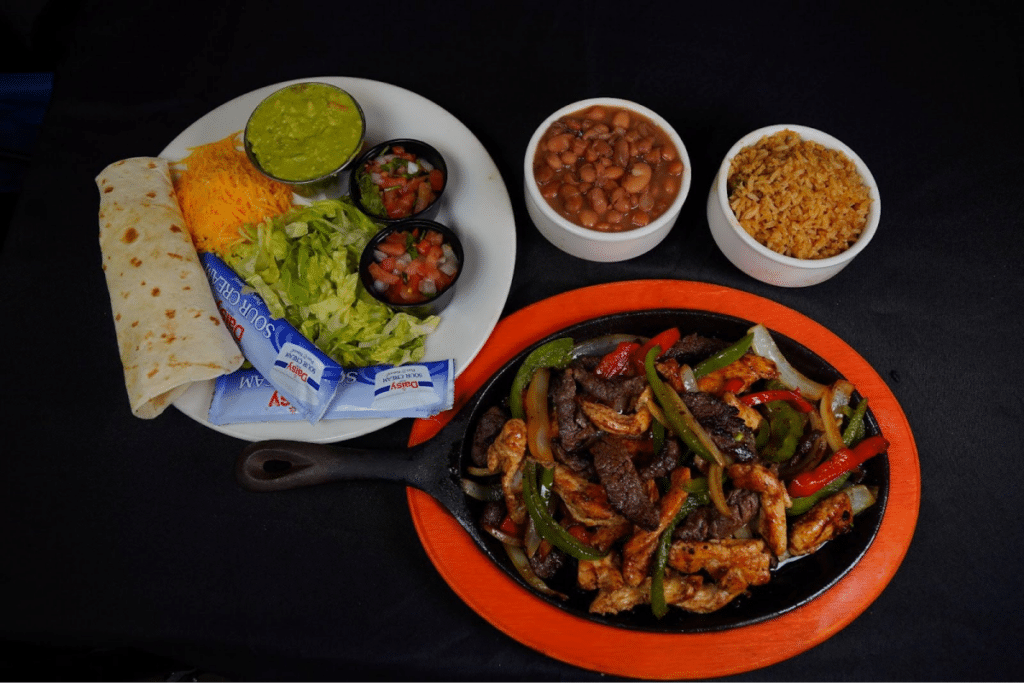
305, 132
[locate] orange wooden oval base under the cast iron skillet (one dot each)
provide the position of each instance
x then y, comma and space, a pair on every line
532, 622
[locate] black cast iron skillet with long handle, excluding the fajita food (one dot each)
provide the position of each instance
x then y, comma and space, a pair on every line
436, 467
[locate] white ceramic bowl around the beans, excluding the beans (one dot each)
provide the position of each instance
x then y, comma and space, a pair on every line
595, 245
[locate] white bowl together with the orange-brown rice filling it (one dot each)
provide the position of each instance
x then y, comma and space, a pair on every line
792, 206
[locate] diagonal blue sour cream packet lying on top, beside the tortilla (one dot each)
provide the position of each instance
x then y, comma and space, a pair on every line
307, 377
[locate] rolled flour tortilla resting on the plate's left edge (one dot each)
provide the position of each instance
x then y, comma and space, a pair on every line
169, 331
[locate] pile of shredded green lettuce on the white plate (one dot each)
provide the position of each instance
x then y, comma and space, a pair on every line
305, 266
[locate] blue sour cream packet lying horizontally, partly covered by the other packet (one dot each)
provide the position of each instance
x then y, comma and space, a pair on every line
416, 391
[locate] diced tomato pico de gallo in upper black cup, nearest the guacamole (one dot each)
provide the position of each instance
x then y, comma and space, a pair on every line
399, 184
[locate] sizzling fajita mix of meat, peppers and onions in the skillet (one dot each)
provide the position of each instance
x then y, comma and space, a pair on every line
677, 471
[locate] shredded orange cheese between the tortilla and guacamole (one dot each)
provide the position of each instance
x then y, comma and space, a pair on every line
220, 191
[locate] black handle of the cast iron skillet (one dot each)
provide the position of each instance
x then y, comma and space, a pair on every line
280, 465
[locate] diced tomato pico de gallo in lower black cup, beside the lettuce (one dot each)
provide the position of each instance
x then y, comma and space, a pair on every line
413, 267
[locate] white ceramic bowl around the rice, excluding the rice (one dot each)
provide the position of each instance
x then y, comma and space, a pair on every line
757, 261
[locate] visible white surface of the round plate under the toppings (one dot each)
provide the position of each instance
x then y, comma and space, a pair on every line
476, 205
